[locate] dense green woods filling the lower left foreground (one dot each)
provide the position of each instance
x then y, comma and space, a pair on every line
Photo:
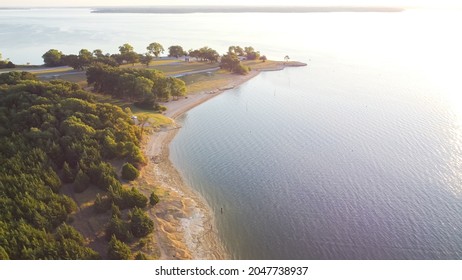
53, 133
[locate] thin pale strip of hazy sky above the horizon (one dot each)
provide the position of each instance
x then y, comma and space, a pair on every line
43, 3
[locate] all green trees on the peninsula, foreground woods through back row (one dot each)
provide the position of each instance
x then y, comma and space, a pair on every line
58, 141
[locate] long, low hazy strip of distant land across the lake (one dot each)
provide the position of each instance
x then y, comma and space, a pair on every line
243, 9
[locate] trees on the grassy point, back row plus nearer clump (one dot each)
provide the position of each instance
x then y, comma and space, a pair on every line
144, 87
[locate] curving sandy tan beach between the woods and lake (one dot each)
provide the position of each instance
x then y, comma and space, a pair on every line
184, 223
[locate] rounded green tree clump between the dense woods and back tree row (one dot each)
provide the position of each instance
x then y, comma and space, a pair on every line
144, 87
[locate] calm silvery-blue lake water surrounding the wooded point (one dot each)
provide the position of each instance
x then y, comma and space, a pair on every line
357, 156
